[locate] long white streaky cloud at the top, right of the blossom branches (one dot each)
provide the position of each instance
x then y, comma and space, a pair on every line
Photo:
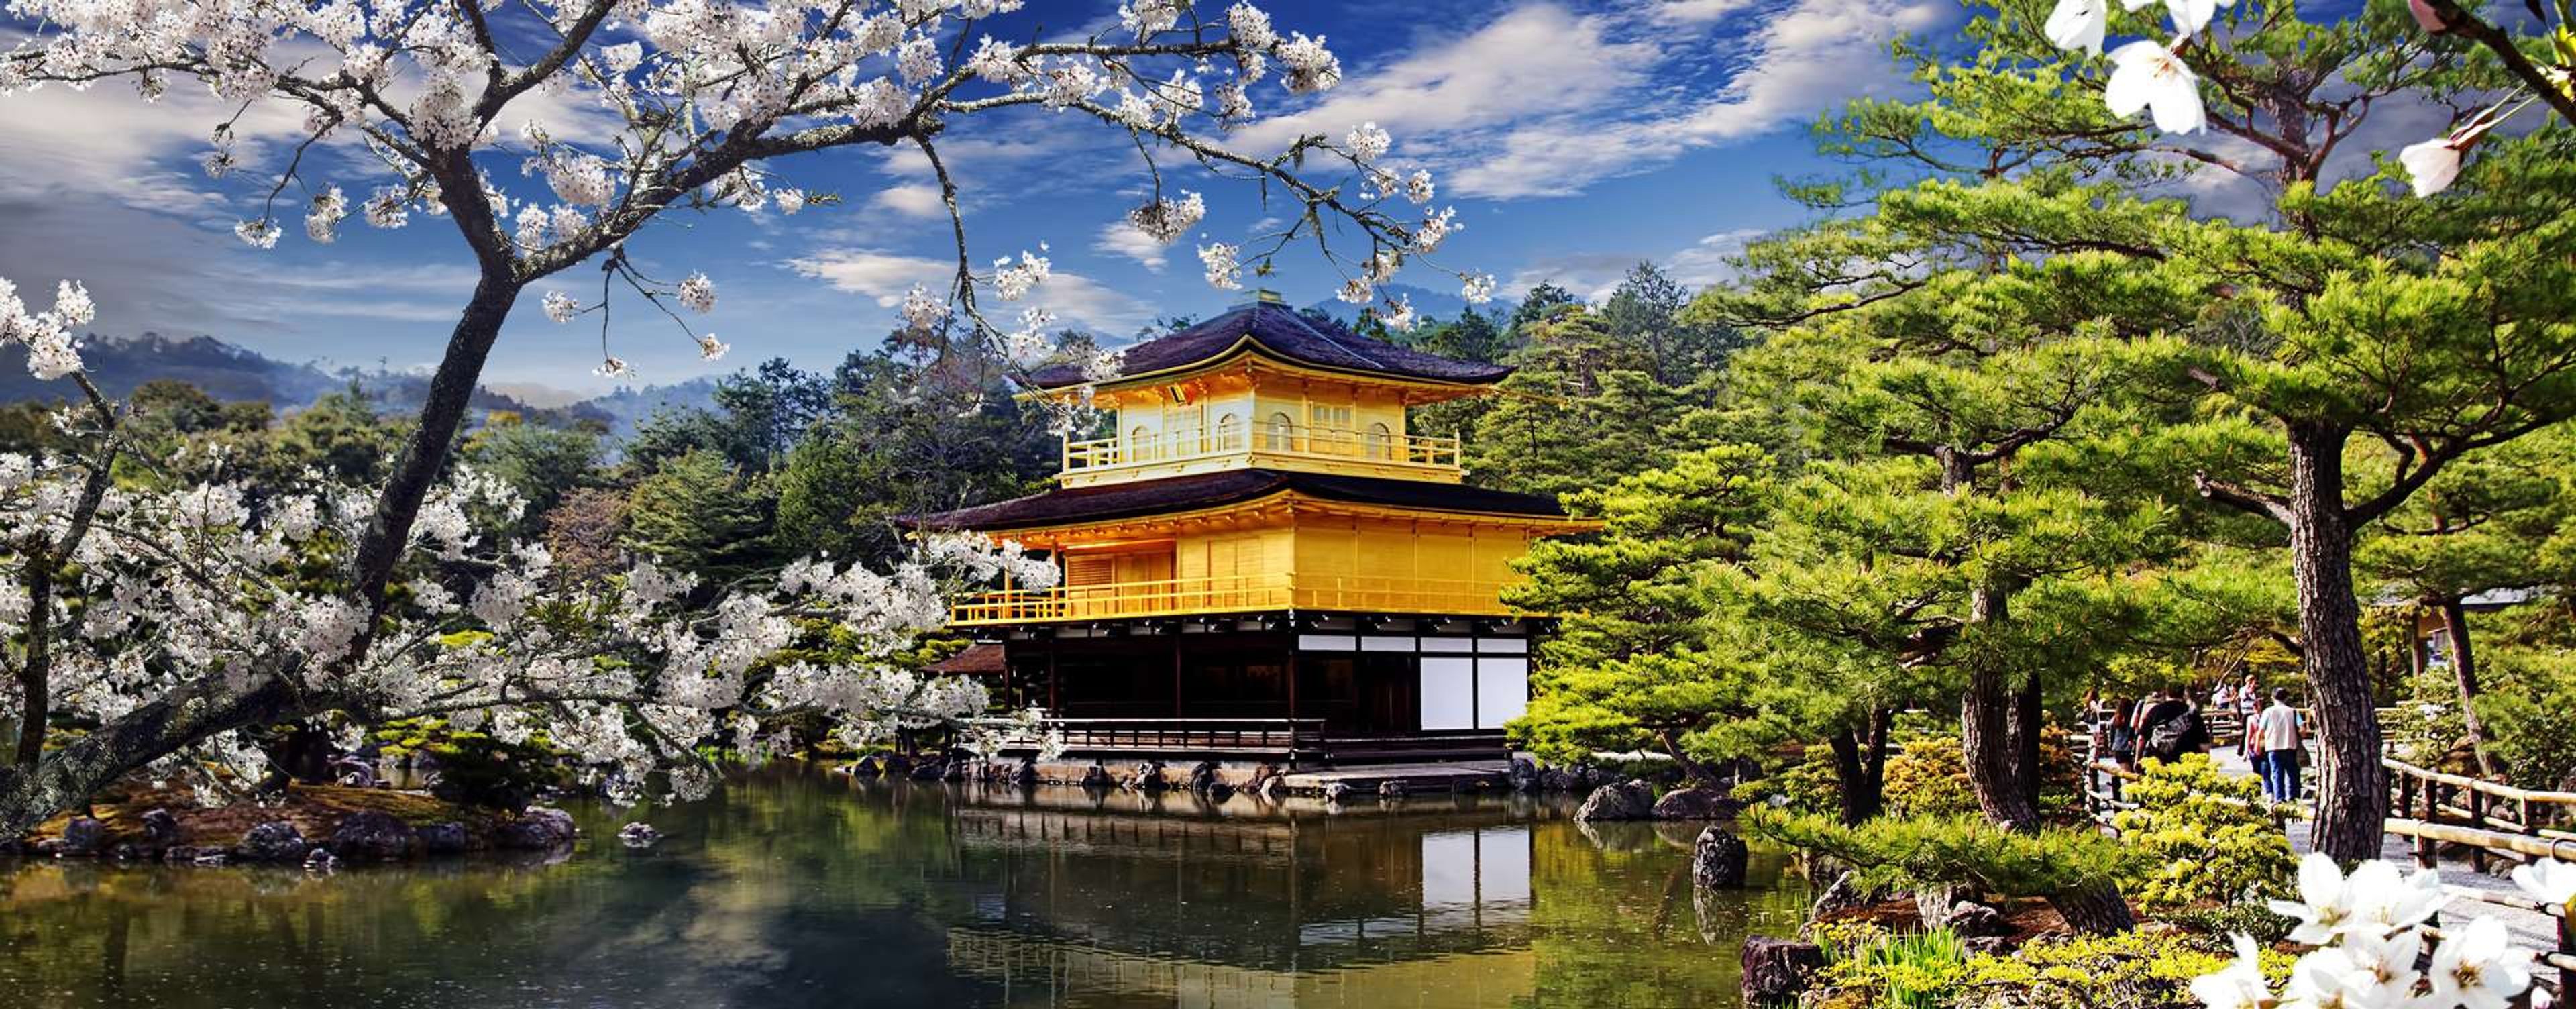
1544, 102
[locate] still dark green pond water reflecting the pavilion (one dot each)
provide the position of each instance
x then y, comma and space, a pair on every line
808, 889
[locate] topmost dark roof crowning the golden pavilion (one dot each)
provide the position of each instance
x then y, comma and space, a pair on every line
1289, 336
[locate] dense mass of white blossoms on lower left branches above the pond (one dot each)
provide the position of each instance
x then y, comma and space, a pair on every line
184, 578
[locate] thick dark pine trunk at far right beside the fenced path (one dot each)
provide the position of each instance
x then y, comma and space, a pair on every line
2351, 786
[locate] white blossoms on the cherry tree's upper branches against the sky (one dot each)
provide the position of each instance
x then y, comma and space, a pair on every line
658, 104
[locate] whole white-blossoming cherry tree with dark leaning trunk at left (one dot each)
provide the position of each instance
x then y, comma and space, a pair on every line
171, 616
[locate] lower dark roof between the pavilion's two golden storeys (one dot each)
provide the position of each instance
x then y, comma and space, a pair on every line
1230, 488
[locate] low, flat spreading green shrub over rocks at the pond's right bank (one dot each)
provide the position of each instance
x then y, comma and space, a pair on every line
1915, 853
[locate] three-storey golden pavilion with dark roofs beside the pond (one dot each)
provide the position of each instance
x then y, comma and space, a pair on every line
1261, 560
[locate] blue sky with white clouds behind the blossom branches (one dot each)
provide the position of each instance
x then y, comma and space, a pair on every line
1575, 140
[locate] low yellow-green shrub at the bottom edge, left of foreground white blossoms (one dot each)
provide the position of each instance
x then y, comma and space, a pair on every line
2093, 972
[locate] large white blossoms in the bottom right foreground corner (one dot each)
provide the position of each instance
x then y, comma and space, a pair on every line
2371, 933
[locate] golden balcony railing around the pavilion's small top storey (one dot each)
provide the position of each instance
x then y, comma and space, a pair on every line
1261, 447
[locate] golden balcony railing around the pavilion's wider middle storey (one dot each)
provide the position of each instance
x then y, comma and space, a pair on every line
1233, 593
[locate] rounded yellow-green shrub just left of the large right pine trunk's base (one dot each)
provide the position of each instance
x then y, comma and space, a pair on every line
2204, 838
